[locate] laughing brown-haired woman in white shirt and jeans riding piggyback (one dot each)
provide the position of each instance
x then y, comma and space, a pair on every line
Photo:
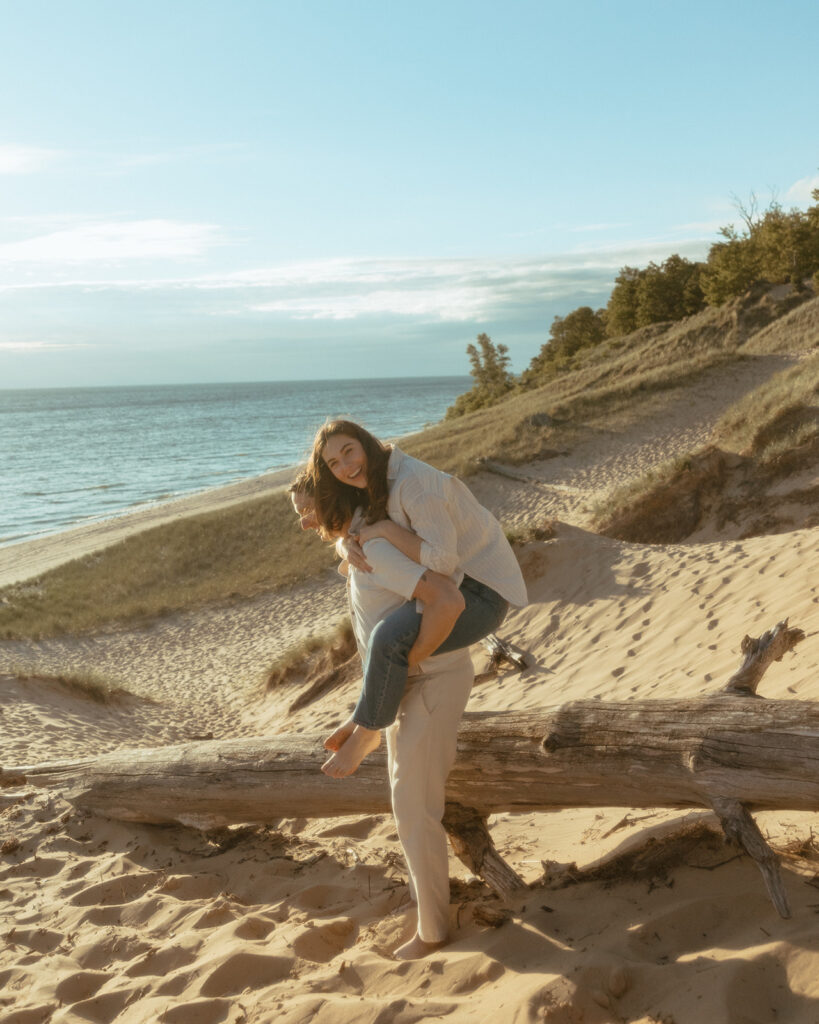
434, 520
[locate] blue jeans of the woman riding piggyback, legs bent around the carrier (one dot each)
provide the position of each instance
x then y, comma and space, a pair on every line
386, 666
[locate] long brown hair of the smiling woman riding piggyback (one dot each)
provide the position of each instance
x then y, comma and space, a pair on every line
336, 502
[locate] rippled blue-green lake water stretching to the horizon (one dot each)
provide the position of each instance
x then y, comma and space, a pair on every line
71, 455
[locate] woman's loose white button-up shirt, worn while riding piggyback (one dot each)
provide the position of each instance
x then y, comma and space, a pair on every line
458, 534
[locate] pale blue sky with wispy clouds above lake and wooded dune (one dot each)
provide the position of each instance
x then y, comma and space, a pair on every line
270, 191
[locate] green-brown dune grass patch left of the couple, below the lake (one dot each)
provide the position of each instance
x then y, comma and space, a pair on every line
238, 552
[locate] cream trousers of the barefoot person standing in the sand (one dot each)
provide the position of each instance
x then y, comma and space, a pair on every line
421, 750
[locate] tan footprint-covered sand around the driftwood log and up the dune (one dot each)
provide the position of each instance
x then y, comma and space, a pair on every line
296, 922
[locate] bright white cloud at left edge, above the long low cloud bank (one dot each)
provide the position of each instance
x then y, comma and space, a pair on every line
111, 241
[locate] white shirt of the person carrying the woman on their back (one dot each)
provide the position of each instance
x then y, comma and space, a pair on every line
374, 595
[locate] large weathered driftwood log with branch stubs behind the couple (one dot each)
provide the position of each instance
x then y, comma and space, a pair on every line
731, 752
